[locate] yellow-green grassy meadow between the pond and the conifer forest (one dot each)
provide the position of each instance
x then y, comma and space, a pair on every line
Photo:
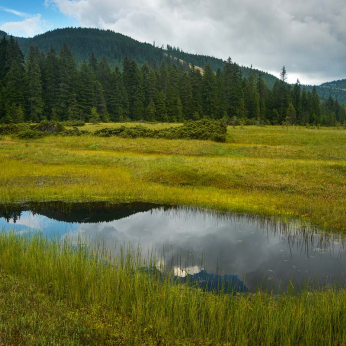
265, 171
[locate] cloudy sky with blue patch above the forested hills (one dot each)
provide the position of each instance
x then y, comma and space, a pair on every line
308, 37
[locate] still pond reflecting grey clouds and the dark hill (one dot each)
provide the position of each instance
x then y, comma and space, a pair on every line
244, 253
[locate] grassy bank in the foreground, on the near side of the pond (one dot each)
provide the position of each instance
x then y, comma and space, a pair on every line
52, 293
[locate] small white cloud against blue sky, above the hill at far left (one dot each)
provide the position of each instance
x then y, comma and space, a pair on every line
26, 28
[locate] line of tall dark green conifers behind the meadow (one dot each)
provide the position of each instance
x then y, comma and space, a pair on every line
52, 87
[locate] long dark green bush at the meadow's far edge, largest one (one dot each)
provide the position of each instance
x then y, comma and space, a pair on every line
201, 129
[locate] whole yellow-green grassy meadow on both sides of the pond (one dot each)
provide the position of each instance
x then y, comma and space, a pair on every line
58, 294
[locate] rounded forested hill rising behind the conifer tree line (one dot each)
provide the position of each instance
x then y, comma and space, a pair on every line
116, 47
